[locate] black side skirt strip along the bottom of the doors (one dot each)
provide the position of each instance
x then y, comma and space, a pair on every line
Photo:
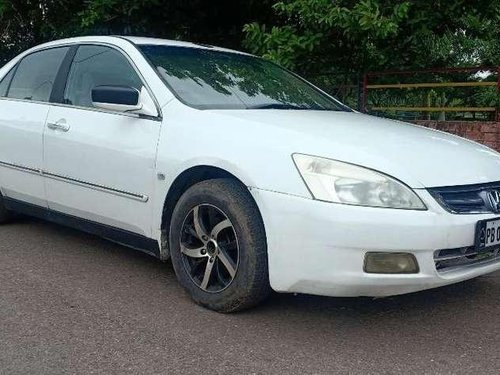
123, 237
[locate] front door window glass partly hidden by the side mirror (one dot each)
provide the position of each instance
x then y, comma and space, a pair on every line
97, 66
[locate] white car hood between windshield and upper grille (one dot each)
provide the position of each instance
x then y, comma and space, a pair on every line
418, 156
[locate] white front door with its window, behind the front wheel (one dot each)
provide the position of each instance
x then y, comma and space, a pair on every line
100, 165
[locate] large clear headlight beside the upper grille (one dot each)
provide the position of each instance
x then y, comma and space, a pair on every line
335, 181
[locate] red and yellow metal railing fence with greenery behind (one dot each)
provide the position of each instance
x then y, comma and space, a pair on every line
471, 93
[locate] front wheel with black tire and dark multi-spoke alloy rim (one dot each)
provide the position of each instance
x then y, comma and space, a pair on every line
222, 260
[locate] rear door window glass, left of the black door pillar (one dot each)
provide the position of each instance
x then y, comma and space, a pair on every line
36, 74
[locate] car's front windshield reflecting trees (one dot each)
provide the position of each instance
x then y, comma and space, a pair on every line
211, 79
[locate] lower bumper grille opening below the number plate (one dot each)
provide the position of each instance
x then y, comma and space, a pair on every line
452, 259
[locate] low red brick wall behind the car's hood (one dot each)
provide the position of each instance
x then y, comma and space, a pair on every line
487, 133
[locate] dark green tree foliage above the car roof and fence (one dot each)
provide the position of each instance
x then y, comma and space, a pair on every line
308, 35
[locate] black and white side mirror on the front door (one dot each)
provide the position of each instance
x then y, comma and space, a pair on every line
116, 98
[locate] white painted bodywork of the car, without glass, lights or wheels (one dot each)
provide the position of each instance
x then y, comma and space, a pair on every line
313, 247
